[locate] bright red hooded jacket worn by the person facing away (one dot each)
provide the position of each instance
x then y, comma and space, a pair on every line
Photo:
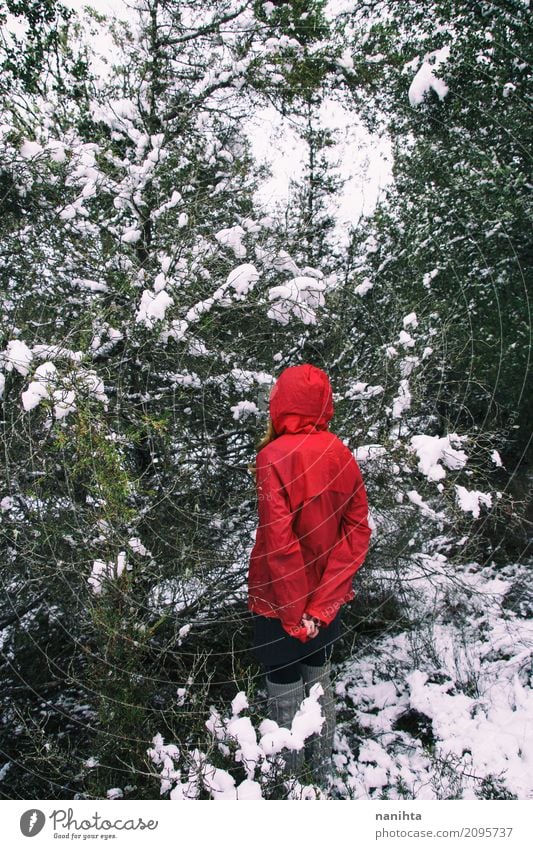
313, 531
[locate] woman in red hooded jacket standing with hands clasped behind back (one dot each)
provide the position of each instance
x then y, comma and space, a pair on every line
312, 537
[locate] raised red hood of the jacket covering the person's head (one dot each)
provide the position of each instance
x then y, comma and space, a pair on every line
301, 400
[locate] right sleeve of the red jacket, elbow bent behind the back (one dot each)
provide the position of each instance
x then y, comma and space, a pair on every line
346, 557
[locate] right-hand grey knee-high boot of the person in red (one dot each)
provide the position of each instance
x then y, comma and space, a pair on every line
319, 749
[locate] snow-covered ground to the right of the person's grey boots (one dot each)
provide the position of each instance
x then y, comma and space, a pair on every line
445, 711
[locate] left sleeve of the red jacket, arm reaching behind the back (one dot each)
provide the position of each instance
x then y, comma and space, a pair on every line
282, 552
